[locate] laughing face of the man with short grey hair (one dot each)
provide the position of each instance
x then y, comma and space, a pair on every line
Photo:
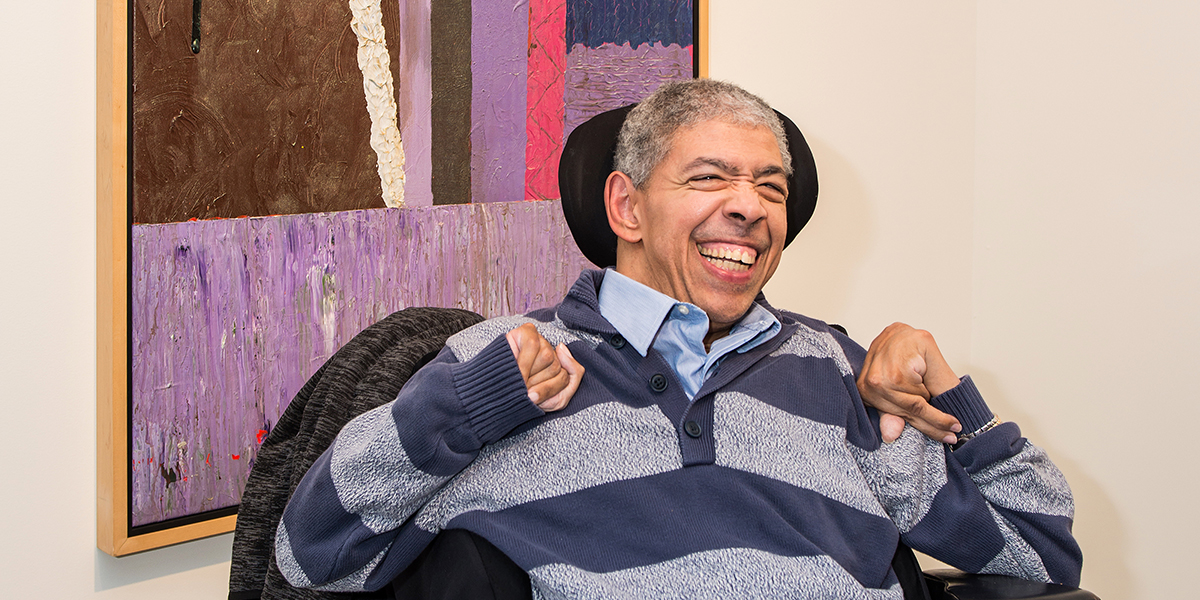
711, 221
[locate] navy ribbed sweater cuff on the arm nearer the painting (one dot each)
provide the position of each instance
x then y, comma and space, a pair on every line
494, 393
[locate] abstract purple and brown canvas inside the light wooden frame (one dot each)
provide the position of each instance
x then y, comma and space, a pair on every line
299, 171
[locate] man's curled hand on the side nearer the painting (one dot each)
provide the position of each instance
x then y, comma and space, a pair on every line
551, 375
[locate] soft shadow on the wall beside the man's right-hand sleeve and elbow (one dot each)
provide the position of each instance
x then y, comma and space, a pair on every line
1099, 526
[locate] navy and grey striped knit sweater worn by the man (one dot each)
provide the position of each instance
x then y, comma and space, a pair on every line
772, 484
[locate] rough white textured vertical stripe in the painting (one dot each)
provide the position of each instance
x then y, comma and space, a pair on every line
377, 85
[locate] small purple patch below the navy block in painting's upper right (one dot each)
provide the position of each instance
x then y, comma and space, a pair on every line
611, 76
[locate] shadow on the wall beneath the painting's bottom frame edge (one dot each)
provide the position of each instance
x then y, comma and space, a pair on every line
113, 573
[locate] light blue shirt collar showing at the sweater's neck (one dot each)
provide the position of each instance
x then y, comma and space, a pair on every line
649, 319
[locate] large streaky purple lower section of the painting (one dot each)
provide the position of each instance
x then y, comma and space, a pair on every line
232, 317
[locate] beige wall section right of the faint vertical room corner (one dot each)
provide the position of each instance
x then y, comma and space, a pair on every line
1088, 266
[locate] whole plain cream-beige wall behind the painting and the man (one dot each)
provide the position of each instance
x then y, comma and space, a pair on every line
1015, 176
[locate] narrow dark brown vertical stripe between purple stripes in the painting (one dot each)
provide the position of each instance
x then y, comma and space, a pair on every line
451, 148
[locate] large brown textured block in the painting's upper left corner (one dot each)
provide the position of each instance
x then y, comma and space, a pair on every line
268, 119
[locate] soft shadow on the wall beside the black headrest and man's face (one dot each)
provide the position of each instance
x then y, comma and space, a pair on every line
819, 269
